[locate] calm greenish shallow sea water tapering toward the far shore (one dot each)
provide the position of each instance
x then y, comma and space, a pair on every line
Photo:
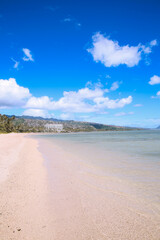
130, 157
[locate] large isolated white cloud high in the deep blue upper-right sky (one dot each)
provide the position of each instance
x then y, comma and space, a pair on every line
110, 53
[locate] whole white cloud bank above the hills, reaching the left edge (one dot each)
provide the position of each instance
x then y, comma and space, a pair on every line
85, 100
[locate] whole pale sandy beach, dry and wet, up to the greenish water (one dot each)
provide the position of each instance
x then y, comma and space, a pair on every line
63, 199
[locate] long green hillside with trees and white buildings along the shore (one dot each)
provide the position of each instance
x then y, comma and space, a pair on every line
37, 124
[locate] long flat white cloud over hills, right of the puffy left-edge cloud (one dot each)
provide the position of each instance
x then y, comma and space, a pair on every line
85, 100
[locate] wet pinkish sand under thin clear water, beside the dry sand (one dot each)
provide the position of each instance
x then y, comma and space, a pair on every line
92, 204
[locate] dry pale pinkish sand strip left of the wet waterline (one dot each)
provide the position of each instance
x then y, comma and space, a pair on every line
24, 210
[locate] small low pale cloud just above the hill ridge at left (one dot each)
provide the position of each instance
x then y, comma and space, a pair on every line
37, 113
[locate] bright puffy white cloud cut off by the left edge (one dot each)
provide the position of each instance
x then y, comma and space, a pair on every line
11, 94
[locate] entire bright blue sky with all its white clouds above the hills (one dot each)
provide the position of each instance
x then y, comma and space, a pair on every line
85, 60
